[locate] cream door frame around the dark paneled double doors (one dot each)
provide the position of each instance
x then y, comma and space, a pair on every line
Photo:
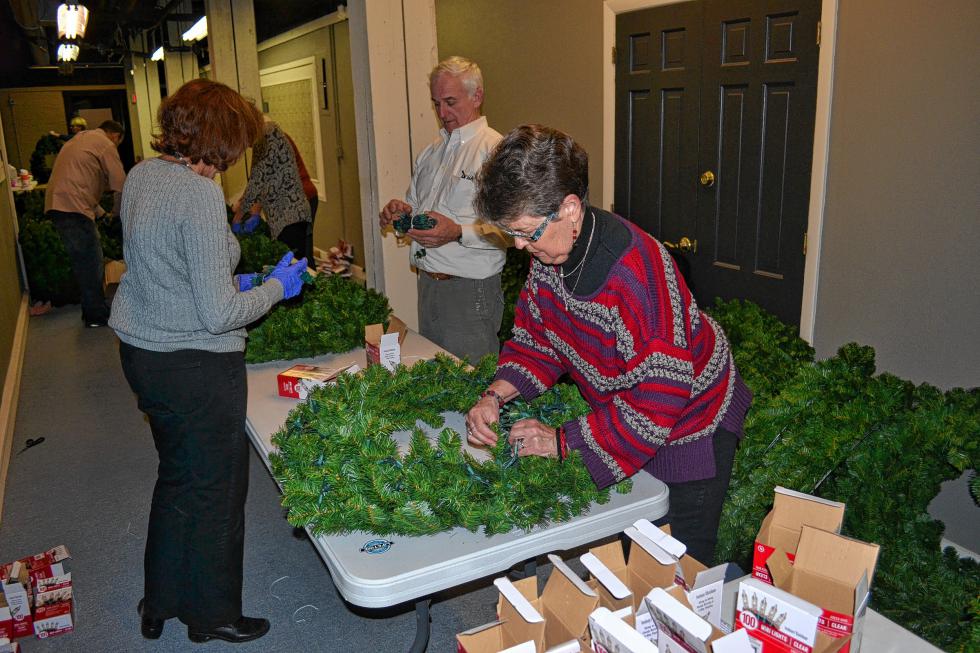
821, 136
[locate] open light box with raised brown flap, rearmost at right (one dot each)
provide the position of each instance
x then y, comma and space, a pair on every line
780, 530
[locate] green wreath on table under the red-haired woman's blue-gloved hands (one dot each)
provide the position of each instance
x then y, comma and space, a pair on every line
328, 317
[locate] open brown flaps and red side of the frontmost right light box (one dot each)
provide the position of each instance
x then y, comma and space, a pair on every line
835, 573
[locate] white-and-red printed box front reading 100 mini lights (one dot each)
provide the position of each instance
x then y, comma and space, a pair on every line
777, 620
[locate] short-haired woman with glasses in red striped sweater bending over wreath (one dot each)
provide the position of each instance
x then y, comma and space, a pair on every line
605, 304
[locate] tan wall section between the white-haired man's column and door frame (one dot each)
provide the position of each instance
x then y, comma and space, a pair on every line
541, 62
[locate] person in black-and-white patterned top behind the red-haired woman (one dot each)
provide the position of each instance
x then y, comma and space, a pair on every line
275, 186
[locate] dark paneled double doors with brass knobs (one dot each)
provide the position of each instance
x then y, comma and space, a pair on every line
715, 140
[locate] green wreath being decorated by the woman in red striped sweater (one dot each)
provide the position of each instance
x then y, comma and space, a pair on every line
341, 470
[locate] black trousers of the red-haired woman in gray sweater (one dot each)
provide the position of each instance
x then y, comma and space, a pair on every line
195, 401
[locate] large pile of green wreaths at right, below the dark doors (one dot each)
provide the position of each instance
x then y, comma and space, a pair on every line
879, 444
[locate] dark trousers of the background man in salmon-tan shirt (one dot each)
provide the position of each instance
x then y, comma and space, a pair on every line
81, 241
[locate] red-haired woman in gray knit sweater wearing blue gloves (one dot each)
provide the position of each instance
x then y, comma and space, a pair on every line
180, 316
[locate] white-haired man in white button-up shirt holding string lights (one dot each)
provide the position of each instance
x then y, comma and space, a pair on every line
460, 258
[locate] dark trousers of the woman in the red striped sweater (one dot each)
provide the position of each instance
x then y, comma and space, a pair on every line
695, 506
